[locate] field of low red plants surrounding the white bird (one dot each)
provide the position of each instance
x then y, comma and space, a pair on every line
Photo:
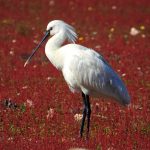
48, 114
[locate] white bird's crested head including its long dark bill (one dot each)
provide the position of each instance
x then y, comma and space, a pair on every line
54, 27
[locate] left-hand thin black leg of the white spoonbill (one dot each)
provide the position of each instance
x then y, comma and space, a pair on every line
84, 114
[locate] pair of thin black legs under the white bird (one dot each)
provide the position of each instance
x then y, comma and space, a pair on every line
86, 112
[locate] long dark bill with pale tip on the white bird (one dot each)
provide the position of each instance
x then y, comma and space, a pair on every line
34, 50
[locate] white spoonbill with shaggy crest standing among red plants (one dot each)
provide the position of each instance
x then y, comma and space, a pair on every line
84, 70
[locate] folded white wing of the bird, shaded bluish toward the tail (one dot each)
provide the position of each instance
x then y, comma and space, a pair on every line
93, 72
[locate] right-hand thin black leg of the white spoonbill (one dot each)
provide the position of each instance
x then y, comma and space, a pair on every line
88, 113
